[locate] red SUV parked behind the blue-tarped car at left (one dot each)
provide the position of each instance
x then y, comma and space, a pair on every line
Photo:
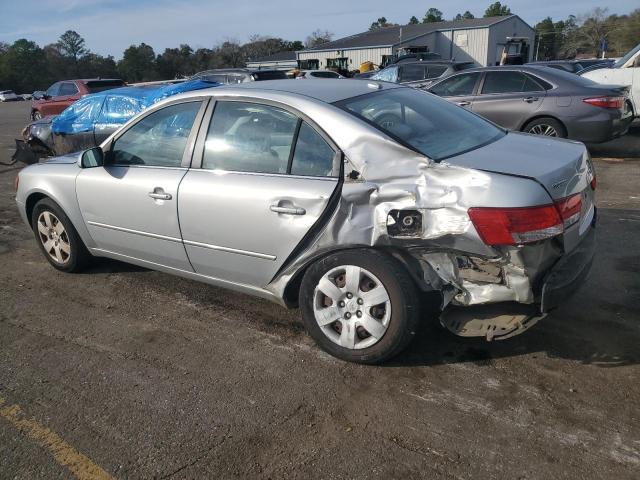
62, 94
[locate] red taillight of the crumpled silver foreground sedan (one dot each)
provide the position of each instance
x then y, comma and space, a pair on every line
516, 226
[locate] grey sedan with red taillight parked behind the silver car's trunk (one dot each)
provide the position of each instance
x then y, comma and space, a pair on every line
541, 100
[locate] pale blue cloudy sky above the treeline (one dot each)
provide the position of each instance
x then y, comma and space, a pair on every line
110, 26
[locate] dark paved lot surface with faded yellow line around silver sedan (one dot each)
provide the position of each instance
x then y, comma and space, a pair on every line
132, 373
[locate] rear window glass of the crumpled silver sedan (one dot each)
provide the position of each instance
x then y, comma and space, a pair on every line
423, 122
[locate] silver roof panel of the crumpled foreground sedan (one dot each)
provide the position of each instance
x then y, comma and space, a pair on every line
327, 90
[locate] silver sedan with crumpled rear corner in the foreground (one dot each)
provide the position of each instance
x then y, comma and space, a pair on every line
356, 201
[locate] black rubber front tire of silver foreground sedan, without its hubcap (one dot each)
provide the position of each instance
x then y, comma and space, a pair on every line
80, 257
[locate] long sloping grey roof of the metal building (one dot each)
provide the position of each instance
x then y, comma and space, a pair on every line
388, 36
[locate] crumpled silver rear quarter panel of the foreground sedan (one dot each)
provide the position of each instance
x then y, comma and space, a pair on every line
393, 177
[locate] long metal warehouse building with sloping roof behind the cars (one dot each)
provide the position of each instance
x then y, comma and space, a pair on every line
480, 40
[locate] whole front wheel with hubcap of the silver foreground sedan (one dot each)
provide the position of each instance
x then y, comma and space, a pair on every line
57, 238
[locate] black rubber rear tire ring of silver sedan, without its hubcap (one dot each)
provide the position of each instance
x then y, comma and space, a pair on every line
405, 304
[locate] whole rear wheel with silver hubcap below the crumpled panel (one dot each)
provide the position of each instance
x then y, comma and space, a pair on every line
360, 305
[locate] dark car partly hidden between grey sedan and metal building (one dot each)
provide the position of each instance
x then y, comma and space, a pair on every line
421, 73
